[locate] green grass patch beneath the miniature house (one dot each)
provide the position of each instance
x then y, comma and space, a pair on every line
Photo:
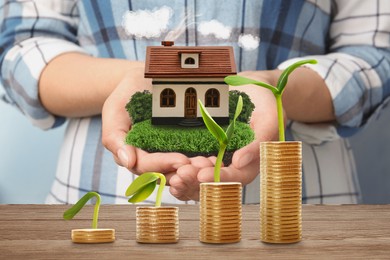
152, 138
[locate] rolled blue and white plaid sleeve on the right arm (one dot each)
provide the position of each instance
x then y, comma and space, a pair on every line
357, 68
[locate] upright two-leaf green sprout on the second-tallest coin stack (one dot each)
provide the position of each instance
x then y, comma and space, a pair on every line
222, 137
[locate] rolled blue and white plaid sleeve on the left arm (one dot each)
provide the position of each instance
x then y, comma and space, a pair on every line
32, 33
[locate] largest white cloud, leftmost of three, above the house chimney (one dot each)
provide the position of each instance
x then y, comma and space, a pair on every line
146, 23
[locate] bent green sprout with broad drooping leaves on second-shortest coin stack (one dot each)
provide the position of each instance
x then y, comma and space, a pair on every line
142, 187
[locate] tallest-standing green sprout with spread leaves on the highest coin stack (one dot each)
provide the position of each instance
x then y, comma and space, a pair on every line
277, 91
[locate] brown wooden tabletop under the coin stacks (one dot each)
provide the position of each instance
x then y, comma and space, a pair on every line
329, 232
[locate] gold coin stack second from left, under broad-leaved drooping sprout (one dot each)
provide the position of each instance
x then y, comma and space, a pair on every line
157, 225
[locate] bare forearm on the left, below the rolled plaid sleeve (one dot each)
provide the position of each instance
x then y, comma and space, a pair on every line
77, 85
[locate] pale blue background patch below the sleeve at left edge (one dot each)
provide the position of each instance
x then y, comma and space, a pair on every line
28, 158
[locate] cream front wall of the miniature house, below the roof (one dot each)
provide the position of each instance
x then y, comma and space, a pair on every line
180, 89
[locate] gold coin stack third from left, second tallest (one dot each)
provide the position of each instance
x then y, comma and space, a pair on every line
220, 212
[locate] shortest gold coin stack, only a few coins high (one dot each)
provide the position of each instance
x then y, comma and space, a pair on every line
92, 236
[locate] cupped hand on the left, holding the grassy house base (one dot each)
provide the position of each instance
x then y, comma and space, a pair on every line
116, 124
